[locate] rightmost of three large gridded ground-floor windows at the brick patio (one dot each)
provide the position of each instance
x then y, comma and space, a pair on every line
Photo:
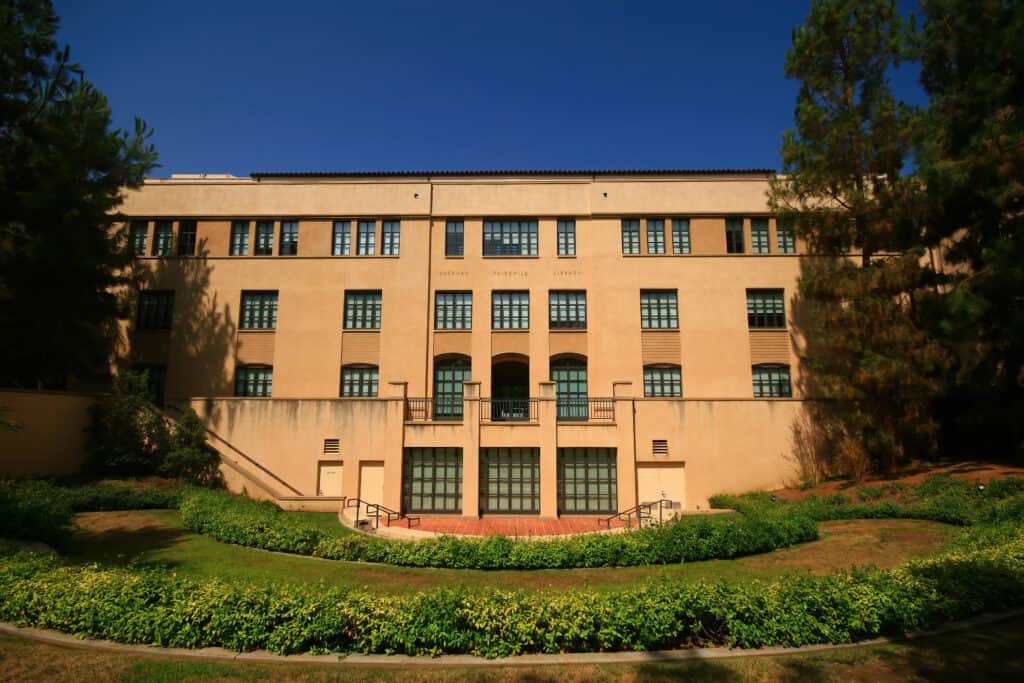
588, 482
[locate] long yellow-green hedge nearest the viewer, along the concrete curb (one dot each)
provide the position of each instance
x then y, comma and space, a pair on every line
158, 608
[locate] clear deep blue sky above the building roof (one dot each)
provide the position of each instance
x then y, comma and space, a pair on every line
237, 88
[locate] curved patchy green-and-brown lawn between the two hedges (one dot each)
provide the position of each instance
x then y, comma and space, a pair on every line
158, 538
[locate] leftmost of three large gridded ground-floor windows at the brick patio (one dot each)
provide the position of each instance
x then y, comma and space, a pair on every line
432, 481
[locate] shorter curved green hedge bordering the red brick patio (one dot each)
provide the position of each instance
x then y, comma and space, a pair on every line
245, 523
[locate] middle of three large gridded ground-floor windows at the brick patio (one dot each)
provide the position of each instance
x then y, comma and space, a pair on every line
510, 481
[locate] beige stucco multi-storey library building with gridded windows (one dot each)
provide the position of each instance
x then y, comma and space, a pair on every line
537, 344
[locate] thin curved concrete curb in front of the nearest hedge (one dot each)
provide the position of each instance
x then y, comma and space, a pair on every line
409, 662
